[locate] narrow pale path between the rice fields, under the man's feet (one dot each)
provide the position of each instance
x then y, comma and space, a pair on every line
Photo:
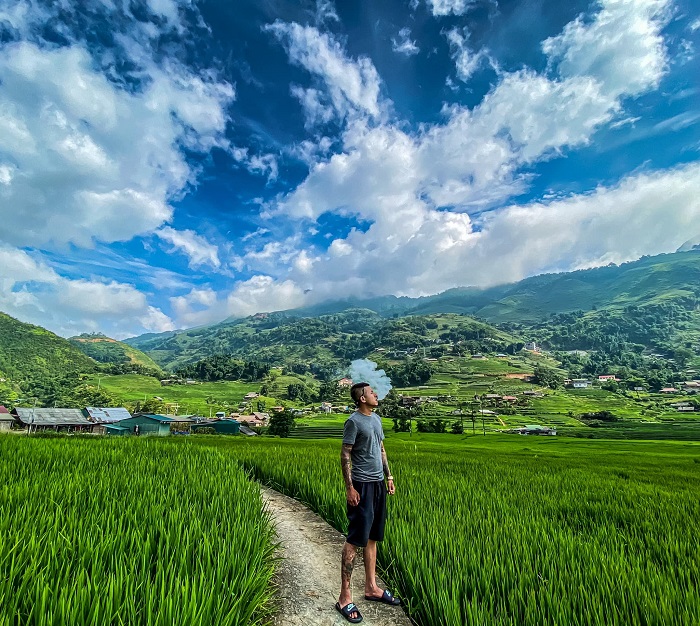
309, 576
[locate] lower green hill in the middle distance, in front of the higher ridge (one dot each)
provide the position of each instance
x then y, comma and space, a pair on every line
324, 342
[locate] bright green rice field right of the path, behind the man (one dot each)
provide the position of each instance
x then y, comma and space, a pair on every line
521, 533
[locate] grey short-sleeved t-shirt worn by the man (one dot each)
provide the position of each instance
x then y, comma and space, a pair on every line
364, 433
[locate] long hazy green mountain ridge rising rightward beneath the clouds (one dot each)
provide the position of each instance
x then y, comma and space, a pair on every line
661, 291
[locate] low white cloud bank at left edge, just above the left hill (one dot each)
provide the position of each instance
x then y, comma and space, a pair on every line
33, 292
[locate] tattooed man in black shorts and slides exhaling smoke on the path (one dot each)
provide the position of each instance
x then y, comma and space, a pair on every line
364, 463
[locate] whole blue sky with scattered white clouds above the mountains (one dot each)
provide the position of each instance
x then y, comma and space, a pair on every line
170, 163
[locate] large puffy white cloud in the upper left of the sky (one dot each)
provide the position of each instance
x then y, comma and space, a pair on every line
91, 160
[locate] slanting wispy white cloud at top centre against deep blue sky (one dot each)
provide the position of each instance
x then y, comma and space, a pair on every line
351, 86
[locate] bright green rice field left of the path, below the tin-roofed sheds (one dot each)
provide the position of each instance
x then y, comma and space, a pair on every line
129, 532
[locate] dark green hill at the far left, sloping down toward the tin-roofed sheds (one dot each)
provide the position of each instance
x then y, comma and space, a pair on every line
33, 354
